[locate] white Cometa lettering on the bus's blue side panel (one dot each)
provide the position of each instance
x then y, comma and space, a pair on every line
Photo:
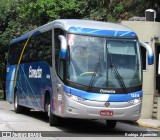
35, 73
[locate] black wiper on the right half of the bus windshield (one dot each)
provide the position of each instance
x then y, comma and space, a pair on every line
118, 76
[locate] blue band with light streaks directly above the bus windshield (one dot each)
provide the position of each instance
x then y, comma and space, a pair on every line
102, 32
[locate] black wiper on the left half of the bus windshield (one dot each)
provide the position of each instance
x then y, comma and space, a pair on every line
93, 77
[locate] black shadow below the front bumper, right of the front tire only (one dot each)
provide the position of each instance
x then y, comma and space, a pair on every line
78, 126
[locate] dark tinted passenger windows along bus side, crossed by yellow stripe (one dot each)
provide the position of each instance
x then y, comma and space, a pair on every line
39, 48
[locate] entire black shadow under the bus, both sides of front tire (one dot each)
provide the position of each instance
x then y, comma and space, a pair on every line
78, 126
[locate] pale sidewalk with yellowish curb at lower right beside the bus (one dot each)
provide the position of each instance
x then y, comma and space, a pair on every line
150, 123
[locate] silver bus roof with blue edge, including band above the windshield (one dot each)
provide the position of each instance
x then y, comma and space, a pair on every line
83, 27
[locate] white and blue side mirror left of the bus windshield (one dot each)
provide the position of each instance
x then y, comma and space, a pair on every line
63, 49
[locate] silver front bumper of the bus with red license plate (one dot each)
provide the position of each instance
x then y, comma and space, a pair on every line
98, 110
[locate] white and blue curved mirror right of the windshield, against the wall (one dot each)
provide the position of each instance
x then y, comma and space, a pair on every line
150, 52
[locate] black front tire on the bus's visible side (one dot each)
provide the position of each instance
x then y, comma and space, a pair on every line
53, 119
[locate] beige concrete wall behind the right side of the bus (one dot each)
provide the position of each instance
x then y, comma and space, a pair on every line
146, 32
